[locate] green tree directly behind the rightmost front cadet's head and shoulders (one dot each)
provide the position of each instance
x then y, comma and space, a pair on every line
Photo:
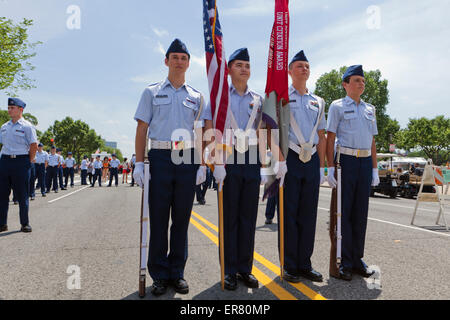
329, 86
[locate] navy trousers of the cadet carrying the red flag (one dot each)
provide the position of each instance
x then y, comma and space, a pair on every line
301, 196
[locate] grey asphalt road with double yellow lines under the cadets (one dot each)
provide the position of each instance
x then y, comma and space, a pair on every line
85, 245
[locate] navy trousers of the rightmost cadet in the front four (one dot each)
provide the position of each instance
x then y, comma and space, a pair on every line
356, 184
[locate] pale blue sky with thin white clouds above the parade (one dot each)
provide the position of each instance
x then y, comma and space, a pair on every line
98, 72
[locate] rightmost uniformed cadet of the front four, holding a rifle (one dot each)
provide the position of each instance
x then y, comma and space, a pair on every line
352, 126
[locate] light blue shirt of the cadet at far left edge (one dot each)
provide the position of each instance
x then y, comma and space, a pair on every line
17, 137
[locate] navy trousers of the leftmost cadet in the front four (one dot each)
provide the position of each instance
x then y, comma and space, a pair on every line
171, 195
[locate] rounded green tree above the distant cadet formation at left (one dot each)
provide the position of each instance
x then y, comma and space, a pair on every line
74, 136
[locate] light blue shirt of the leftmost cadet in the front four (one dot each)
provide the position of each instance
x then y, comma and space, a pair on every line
167, 109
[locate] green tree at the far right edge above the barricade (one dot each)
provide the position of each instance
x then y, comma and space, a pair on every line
432, 136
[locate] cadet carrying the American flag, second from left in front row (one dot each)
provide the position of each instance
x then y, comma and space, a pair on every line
243, 176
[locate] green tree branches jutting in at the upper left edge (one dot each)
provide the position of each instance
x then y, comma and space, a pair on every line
15, 53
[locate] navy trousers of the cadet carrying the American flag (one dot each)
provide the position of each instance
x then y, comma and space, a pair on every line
240, 210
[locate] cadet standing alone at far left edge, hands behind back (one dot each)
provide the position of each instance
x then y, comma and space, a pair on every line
19, 140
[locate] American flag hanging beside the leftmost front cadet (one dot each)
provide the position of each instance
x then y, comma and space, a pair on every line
216, 65
